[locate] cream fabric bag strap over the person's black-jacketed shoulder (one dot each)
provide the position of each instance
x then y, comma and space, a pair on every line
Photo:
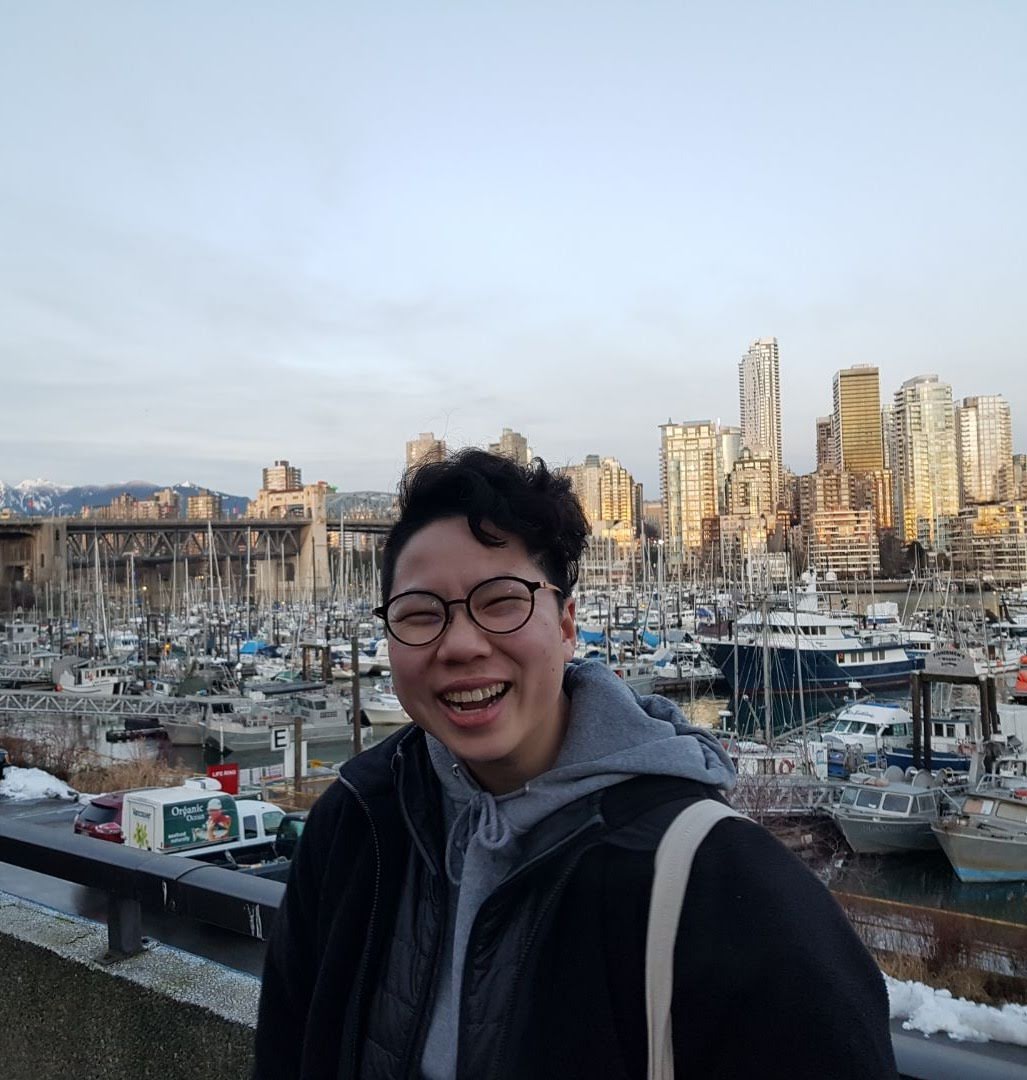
674, 863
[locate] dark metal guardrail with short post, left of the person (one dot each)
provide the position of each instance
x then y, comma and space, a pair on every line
133, 880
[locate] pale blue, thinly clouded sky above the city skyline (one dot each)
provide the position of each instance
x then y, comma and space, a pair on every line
234, 233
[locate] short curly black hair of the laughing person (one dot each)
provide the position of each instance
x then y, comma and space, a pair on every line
531, 503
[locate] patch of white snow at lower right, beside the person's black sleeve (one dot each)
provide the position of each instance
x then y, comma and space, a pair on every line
927, 1010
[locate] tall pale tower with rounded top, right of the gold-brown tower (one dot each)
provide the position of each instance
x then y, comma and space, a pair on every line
924, 463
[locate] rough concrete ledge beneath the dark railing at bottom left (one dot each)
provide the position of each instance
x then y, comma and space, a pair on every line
161, 1016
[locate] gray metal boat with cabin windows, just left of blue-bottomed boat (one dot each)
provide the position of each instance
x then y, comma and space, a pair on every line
891, 815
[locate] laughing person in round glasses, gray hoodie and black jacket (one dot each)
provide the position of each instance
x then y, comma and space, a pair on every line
470, 900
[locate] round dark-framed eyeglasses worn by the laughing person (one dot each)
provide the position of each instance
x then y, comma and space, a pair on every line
498, 606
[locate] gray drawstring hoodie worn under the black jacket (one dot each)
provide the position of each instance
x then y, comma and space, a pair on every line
613, 735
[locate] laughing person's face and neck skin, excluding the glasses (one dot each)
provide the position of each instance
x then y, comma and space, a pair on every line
518, 735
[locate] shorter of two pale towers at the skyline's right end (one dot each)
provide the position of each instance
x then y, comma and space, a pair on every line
984, 443
